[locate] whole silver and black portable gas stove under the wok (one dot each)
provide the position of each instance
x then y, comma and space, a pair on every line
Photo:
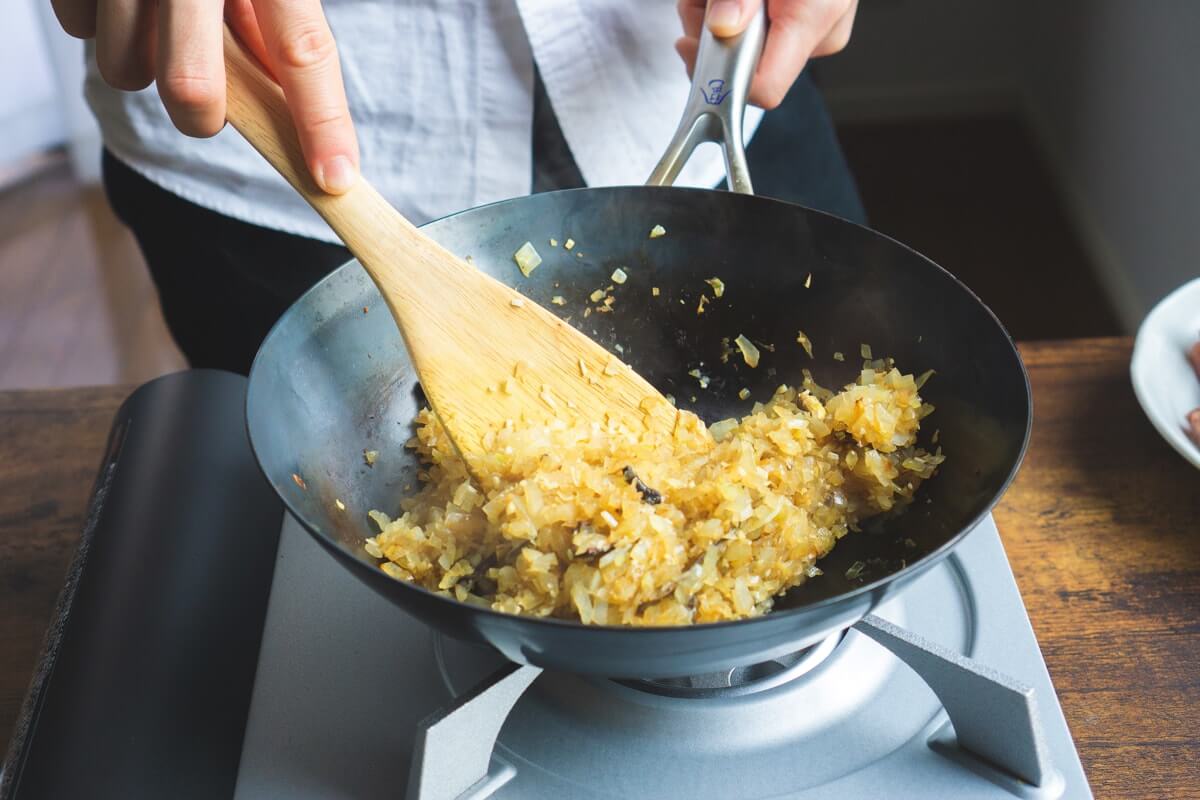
206, 646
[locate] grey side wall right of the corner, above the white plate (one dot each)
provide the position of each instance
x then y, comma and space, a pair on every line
1114, 95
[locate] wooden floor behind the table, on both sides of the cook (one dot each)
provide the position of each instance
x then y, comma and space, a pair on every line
77, 306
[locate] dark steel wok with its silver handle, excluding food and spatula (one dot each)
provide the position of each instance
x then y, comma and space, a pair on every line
333, 380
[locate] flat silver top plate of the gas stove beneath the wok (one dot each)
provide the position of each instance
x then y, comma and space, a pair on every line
345, 677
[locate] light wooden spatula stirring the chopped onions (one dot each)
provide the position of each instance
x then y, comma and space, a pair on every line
484, 353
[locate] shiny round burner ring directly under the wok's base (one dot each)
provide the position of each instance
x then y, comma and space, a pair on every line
741, 682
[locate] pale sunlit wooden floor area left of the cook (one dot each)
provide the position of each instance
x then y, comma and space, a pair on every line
77, 306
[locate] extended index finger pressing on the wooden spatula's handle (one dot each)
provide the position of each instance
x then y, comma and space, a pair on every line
304, 58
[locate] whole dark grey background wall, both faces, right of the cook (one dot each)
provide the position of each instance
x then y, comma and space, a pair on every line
1108, 89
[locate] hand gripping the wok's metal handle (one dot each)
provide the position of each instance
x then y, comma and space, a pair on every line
799, 31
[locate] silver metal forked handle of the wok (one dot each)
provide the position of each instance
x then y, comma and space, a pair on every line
717, 105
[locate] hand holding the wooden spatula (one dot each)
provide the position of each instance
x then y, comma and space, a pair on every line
178, 44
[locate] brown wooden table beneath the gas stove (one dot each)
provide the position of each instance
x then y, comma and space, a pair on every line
1102, 528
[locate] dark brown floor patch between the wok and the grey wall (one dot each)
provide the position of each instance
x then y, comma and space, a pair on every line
975, 196
